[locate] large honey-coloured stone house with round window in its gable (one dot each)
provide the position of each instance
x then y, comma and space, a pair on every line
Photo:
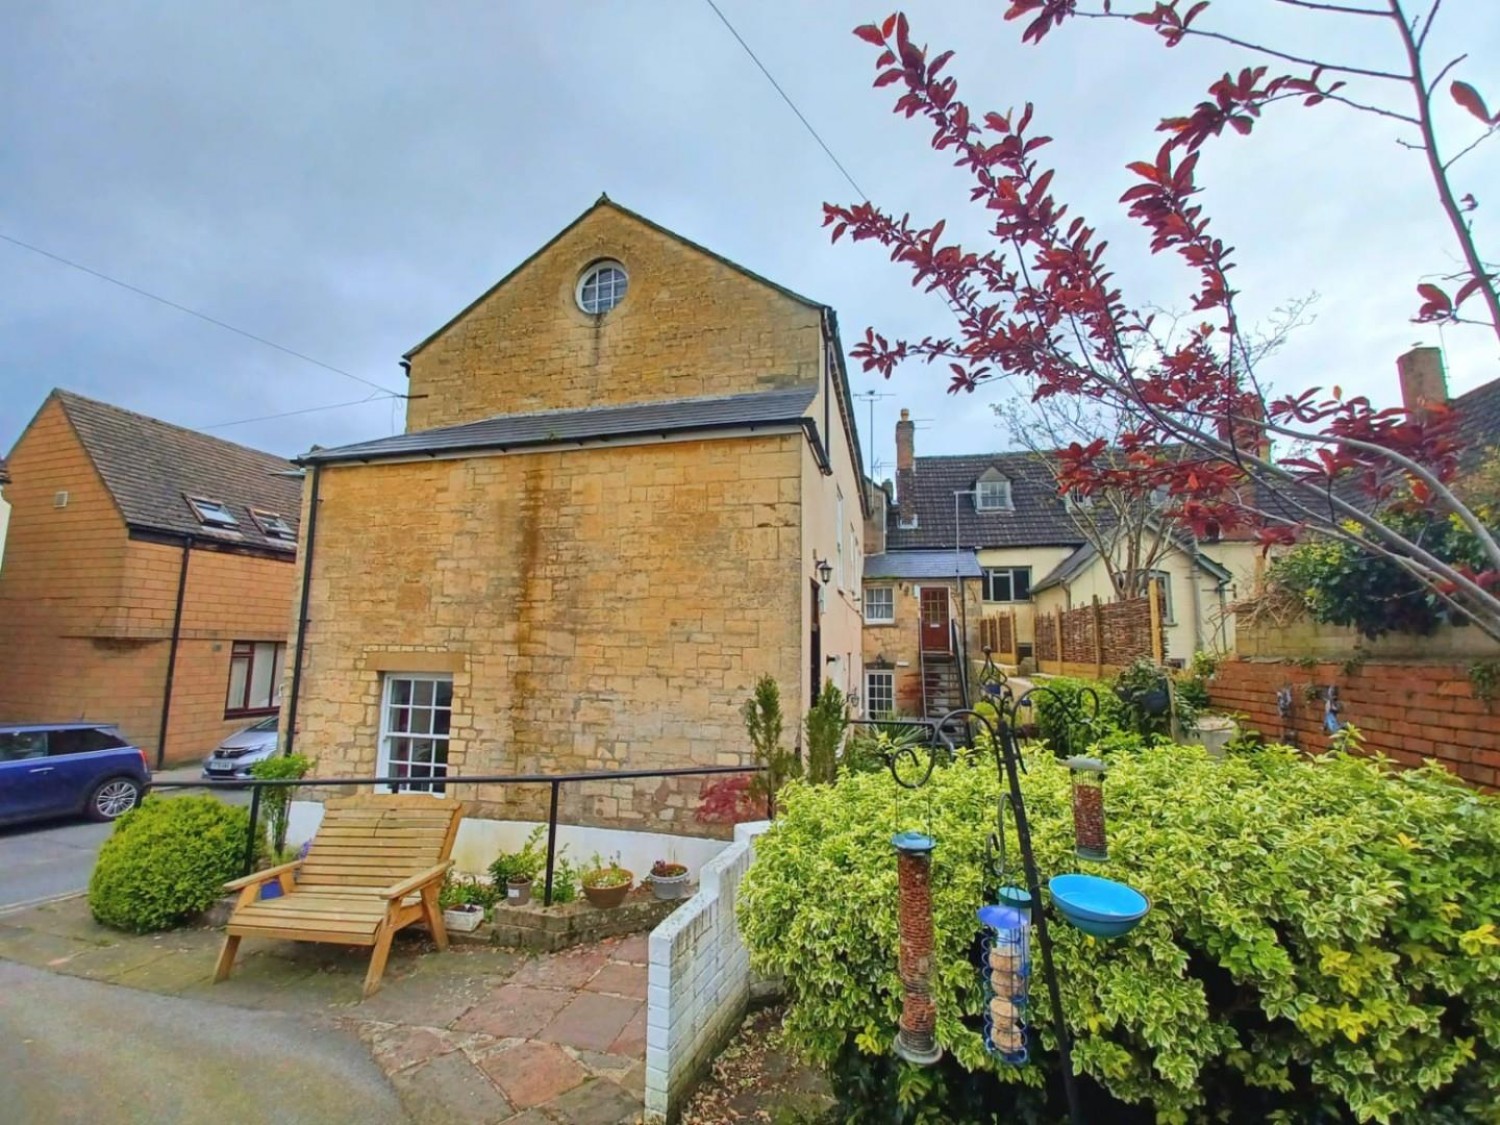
626, 491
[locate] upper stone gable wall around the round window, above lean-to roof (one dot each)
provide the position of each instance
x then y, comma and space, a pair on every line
691, 325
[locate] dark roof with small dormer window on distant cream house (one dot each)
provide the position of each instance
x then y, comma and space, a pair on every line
1039, 517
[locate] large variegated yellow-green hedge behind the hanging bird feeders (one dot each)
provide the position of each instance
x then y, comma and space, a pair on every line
1322, 944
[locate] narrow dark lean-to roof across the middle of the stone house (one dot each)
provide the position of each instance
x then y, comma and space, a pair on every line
593, 424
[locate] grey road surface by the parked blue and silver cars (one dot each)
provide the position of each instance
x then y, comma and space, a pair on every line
50, 859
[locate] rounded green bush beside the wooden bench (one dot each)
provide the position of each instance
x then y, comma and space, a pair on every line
167, 862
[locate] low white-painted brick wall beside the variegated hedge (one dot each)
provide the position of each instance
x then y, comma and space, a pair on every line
700, 979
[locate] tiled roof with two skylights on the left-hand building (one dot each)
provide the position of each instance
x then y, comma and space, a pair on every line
151, 467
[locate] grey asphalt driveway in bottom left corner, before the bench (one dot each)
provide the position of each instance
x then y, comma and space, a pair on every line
76, 1051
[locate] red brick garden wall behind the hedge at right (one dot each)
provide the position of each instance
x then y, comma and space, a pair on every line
1406, 712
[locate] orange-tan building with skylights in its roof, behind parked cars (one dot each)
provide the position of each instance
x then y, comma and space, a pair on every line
148, 578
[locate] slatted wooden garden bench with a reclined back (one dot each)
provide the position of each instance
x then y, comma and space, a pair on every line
374, 868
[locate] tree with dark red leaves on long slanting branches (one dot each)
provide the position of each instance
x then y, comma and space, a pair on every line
1042, 304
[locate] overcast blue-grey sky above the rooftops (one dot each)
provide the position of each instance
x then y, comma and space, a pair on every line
343, 178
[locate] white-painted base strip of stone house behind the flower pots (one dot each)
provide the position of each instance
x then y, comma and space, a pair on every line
482, 841
